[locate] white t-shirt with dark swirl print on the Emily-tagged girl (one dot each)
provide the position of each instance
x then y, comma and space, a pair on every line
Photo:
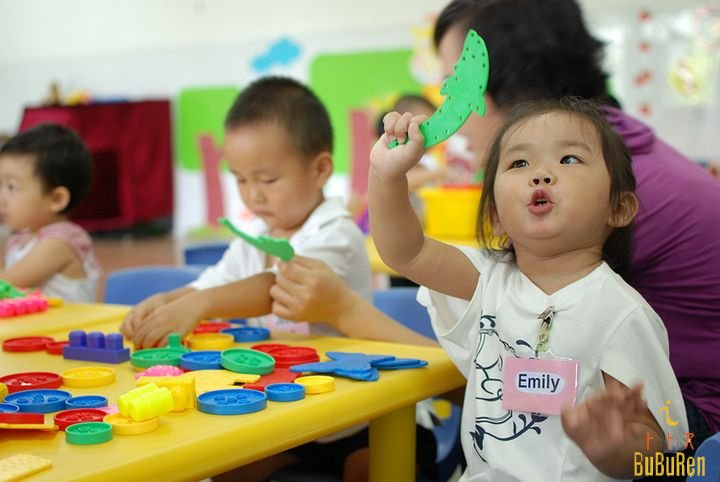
600, 321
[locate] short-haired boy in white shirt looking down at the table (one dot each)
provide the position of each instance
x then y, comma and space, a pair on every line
278, 145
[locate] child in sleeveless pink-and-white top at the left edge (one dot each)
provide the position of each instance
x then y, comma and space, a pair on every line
44, 174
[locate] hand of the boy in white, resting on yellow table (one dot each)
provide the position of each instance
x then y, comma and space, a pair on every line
178, 316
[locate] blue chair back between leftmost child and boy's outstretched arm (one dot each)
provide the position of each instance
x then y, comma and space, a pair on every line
132, 285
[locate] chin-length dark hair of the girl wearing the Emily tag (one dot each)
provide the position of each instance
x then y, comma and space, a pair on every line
617, 248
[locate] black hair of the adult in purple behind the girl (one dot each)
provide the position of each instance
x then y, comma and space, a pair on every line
537, 49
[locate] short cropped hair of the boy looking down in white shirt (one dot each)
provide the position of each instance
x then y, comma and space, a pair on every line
290, 104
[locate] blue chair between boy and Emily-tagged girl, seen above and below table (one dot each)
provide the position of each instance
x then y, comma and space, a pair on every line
401, 305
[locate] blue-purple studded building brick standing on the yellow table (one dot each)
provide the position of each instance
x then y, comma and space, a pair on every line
96, 347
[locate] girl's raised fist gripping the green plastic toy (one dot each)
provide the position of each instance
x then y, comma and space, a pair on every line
396, 162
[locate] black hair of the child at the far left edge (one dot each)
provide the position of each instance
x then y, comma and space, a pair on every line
61, 159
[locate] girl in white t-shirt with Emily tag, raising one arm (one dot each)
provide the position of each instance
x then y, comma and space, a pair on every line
549, 309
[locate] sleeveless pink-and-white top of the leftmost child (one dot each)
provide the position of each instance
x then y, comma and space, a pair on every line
71, 290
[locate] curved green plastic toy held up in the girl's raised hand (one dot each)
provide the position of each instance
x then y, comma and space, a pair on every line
463, 93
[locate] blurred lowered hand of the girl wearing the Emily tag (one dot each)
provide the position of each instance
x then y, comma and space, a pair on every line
607, 421
